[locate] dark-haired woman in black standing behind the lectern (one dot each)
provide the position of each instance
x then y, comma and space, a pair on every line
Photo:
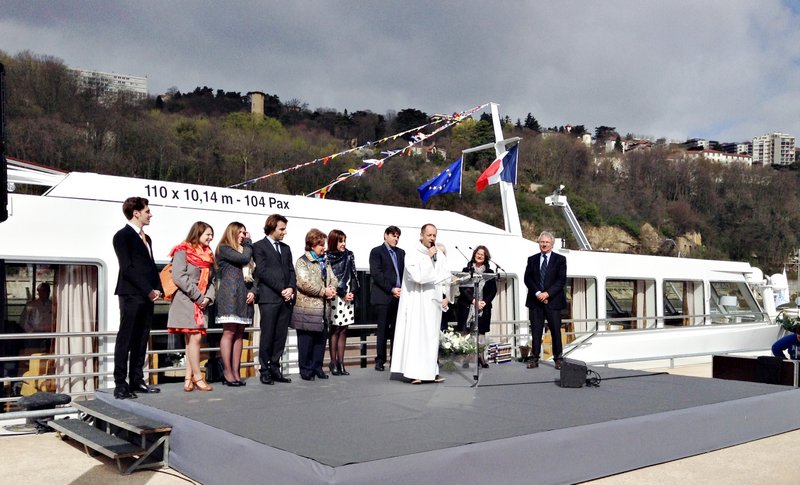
487, 290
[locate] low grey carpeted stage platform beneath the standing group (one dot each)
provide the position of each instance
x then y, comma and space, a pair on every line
517, 427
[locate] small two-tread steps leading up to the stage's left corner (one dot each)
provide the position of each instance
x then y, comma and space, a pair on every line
104, 428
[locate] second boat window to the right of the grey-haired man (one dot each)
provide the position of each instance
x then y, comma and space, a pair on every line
630, 304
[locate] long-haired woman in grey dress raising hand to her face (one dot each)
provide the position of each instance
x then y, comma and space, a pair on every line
235, 297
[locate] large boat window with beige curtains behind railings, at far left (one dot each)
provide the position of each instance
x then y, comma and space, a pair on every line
44, 298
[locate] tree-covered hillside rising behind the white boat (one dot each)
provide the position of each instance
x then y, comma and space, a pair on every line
209, 137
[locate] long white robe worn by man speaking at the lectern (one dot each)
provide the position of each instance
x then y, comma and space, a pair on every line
415, 347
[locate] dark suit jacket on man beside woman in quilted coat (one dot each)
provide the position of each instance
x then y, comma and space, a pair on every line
274, 272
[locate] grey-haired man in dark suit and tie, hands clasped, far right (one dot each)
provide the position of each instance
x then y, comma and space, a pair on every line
545, 278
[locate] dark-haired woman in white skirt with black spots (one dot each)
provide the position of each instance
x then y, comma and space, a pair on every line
342, 263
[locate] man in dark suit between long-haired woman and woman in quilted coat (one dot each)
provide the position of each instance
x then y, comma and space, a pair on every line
277, 284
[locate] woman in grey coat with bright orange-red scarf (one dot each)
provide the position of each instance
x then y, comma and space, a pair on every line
193, 267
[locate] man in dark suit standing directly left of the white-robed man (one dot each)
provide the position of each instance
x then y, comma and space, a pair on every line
386, 264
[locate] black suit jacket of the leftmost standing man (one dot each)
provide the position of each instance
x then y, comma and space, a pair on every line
138, 274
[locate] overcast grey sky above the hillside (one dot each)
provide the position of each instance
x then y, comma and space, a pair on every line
721, 69
